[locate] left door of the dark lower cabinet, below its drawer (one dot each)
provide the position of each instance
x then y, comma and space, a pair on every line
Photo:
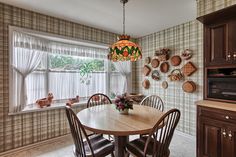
210, 134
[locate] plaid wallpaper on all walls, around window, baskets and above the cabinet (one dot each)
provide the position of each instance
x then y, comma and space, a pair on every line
20, 130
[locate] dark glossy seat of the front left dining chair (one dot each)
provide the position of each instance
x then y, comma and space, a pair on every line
101, 146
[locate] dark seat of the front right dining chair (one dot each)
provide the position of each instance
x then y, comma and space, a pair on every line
136, 147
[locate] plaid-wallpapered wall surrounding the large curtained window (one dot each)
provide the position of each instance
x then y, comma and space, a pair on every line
24, 129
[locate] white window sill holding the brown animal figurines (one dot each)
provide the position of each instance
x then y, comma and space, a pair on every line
35, 108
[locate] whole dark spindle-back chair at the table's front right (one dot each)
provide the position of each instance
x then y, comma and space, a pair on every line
156, 144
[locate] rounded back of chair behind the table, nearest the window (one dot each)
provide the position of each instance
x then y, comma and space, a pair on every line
98, 99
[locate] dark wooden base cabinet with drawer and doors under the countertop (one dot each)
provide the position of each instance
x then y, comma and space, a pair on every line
216, 132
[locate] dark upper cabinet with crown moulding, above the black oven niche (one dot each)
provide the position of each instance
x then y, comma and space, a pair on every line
220, 38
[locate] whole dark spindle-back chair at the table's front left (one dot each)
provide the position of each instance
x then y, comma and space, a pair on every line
92, 146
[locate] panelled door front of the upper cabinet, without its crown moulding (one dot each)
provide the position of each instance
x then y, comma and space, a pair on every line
220, 43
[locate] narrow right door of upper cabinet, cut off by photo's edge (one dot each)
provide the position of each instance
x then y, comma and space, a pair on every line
232, 40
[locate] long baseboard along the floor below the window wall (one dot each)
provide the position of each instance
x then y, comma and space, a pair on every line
38, 144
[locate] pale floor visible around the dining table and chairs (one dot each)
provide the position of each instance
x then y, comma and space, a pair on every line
181, 146
